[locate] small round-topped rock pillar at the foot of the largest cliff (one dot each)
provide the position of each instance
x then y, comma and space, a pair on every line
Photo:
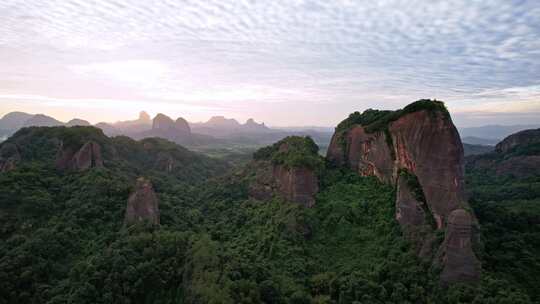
460, 262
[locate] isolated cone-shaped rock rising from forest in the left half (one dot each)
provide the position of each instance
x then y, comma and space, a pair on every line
142, 204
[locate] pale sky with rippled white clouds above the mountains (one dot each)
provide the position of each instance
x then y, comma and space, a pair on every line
287, 63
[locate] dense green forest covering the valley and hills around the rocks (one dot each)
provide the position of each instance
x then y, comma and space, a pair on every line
64, 240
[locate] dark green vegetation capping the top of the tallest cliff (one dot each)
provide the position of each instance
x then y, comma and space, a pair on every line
378, 120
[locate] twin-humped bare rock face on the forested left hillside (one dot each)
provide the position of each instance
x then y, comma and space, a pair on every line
88, 156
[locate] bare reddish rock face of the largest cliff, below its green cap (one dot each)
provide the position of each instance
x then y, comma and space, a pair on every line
426, 144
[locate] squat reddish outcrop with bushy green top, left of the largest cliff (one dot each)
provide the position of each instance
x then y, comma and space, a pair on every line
287, 169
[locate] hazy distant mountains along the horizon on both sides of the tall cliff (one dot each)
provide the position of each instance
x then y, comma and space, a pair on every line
220, 130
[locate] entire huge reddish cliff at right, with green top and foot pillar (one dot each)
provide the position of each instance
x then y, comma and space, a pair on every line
422, 141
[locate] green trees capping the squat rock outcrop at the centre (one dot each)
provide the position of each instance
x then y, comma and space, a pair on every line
292, 152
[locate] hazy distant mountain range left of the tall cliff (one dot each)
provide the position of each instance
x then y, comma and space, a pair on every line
218, 130
